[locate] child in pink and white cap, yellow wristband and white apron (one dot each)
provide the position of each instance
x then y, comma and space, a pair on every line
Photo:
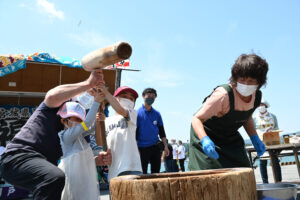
78, 161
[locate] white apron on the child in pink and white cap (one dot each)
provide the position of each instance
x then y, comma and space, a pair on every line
81, 176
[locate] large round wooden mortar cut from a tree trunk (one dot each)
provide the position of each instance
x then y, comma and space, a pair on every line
219, 184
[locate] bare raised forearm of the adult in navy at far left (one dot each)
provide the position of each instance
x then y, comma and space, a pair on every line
58, 95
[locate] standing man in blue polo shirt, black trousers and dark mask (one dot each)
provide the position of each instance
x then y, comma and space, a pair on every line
149, 127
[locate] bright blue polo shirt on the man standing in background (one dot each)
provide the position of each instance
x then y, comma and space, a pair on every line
147, 126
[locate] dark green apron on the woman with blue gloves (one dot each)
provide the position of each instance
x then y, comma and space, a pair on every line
223, 131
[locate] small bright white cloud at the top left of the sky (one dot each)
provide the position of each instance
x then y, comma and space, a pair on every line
49, 9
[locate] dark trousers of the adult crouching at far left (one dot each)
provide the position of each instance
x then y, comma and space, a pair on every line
34, 173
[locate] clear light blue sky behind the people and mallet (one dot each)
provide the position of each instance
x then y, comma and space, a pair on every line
184, 49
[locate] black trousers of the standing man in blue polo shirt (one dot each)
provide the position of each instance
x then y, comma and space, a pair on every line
150, 155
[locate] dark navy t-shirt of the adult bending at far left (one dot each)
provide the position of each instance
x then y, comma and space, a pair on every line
40, 134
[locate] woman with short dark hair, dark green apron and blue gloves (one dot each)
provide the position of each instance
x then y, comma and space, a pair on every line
215, 140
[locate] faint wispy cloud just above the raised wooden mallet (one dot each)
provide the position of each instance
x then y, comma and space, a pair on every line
90, 39
